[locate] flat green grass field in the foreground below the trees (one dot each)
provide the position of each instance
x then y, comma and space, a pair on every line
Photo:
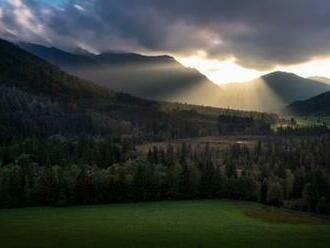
209, 223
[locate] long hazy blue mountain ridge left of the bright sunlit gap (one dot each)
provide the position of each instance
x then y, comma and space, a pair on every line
151, 77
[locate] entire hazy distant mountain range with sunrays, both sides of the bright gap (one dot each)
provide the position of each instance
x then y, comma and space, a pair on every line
163, 78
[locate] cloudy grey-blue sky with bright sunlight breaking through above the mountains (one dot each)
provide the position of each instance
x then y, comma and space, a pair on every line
227, 40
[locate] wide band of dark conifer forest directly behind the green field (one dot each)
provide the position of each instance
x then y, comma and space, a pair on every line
290, 172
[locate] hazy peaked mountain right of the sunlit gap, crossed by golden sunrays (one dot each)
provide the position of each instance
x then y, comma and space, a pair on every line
272, 92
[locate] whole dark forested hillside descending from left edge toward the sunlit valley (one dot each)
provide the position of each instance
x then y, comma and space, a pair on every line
38, 99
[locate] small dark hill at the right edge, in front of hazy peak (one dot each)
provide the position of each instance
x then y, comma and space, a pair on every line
318, 105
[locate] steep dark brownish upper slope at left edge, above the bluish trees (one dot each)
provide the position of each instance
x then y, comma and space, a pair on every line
26, 71
